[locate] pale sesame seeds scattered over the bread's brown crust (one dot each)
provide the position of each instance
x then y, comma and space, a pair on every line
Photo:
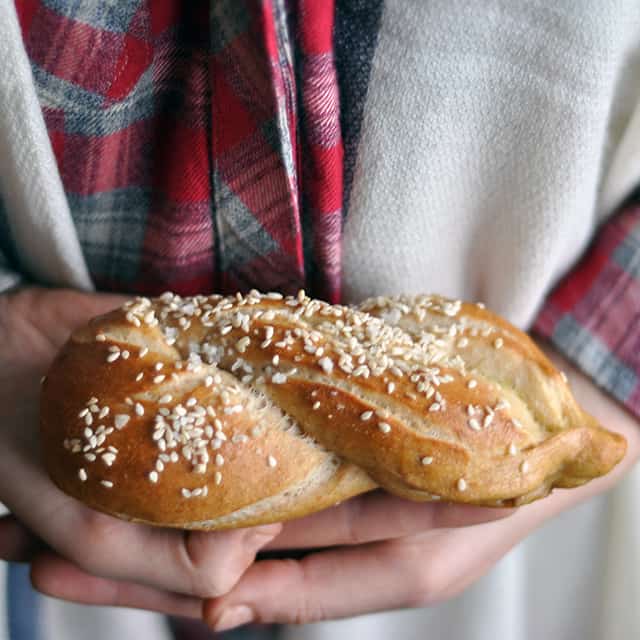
265, 340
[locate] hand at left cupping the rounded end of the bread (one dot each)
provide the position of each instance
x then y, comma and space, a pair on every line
76, 553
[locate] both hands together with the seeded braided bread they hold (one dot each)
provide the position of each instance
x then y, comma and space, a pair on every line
338, 411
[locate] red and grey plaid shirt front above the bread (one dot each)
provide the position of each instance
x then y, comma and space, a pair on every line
175, 129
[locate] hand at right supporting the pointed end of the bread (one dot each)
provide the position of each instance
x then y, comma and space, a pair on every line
390, 553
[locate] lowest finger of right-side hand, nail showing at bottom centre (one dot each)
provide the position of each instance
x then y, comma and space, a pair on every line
321, 586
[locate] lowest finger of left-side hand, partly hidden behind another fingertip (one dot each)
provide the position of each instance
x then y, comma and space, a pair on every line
54, 576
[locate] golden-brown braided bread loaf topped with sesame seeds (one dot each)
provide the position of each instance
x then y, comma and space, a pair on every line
219, 412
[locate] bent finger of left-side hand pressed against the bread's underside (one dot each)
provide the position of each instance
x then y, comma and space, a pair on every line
197, 563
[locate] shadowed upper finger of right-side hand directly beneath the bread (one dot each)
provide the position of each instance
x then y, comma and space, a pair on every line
379, 516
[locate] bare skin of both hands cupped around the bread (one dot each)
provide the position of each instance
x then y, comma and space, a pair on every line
376, 540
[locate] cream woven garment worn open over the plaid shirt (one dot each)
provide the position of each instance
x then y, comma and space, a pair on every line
497, 134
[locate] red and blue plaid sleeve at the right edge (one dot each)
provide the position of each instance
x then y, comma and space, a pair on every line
593, 315
